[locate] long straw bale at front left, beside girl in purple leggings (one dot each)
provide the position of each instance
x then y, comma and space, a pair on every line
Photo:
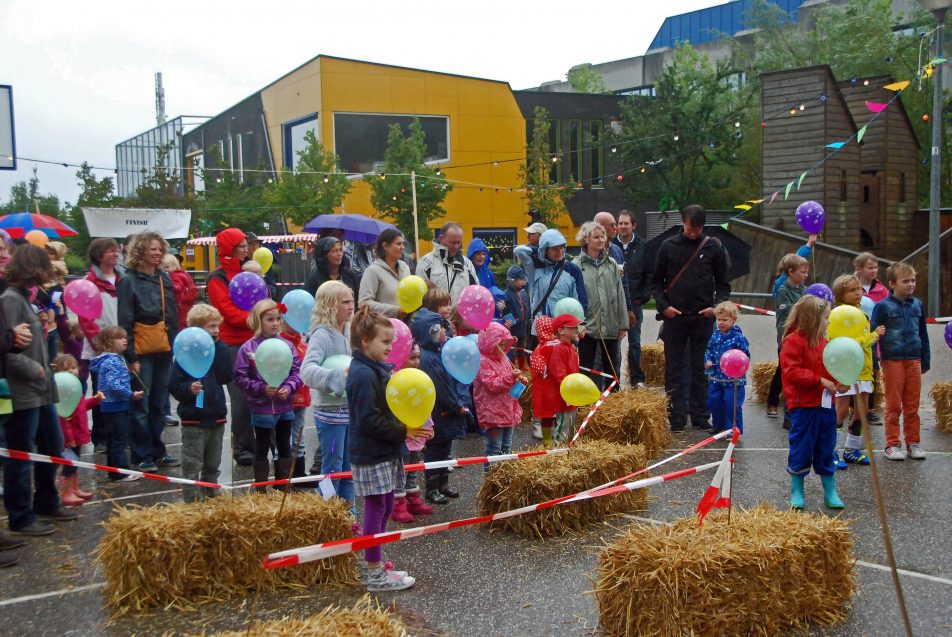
182, 554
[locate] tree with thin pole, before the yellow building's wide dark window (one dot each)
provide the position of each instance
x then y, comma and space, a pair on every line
391, 192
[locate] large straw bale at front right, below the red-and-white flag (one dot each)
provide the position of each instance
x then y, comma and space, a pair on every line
765, 572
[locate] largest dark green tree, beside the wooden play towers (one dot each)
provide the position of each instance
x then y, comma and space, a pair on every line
684, 145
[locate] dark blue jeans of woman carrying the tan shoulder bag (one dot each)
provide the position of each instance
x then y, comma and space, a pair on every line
147, 416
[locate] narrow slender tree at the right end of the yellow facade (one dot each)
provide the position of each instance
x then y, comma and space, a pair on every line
545, 198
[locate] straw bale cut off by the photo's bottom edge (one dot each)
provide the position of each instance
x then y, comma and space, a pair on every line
366, 618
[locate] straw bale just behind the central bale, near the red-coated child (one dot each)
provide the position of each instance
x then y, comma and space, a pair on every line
633, 416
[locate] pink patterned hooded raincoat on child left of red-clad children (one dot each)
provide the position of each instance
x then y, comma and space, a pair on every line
494, 406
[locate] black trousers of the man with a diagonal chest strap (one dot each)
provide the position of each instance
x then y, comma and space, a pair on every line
686, 337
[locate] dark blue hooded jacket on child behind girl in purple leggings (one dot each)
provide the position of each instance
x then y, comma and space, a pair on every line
449, 423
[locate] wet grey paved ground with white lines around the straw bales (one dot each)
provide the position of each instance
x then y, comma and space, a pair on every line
472, 582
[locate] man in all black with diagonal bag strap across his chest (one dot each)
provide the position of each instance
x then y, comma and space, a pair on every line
689, 279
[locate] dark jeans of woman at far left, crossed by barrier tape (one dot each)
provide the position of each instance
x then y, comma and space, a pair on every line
33, 430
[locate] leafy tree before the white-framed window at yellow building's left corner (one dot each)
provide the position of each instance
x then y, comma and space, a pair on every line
313, 188
